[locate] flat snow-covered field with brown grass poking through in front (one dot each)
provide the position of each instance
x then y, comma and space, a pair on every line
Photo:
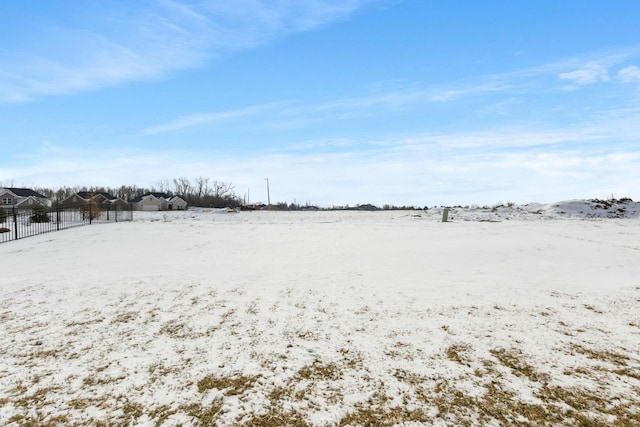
506, 316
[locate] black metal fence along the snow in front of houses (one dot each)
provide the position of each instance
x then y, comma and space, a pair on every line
18, 224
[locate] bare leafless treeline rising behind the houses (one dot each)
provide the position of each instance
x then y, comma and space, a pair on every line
201, 192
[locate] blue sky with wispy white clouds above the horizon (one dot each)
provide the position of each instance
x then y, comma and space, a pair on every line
414, 102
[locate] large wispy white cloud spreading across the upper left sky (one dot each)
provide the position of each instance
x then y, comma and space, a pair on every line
146, 42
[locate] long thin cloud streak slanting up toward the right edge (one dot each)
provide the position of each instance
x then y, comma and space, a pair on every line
489, 90
